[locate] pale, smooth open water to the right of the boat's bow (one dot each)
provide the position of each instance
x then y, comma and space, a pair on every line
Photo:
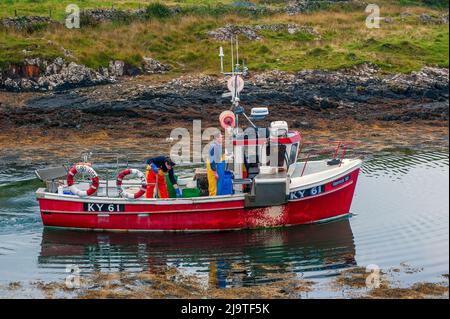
403, 213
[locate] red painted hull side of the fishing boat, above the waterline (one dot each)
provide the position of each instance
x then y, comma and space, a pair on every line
334, 202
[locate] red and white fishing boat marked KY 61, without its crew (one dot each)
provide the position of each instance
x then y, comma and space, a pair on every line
271, 186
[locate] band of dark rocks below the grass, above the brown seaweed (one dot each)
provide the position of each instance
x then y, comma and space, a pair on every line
361, 93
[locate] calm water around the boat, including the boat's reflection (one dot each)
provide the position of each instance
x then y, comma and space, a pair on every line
400, 219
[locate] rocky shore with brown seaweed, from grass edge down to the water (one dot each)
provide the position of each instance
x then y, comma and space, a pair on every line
402, 111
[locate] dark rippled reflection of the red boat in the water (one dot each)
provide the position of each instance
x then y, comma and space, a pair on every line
236, 258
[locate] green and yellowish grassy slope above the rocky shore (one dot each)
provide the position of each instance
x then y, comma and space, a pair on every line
181, 40
